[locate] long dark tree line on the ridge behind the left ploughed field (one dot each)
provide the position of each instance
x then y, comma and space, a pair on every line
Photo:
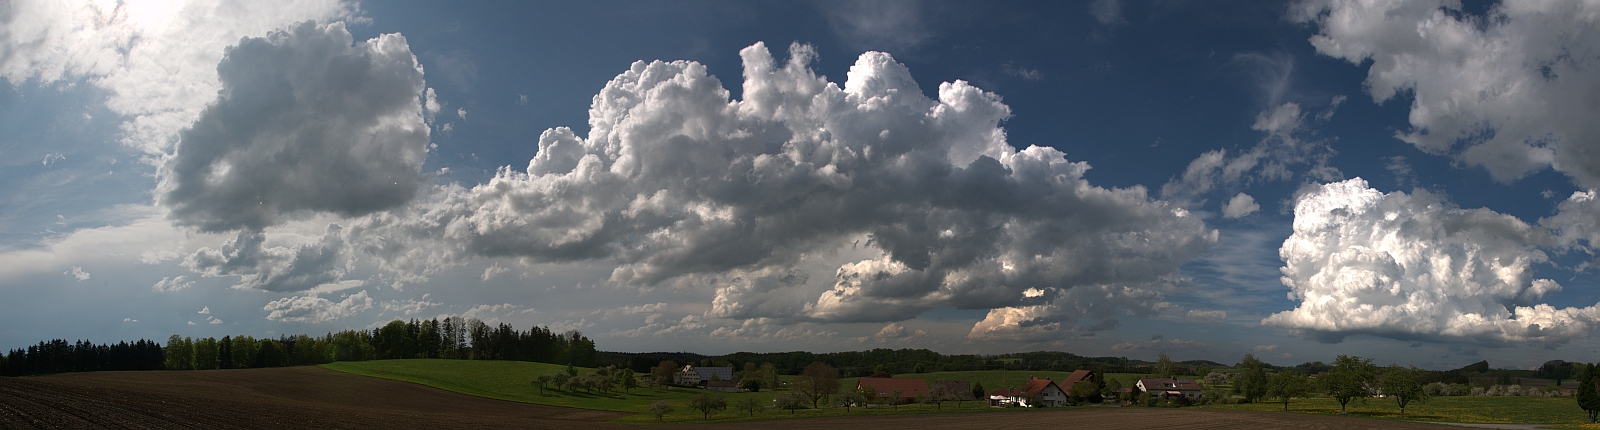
449, 338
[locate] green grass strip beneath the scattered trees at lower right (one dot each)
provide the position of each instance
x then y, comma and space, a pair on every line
1479, 410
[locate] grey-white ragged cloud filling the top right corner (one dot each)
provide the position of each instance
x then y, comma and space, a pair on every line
1511, 92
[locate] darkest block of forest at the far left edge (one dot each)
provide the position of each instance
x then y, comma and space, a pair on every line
82, 357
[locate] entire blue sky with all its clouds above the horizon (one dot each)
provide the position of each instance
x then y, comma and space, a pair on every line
1412, 183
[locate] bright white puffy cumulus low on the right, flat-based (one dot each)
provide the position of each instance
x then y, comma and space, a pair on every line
1417, 268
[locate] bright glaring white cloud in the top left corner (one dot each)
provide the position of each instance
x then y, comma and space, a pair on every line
158, 60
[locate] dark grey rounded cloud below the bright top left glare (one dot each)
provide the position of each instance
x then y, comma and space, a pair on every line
306, 122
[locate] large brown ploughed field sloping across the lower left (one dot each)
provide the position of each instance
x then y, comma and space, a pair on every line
305, 397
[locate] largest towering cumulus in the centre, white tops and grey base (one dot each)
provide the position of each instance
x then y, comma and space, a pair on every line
908, 202
